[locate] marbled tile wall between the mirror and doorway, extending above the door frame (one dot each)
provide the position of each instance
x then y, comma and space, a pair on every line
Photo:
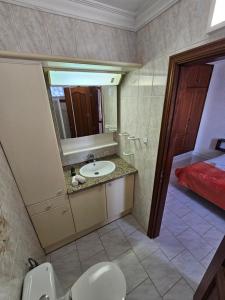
181, 27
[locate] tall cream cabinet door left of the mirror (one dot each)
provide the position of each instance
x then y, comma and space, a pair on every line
27, 132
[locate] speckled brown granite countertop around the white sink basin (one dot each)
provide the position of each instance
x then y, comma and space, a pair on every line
122, 169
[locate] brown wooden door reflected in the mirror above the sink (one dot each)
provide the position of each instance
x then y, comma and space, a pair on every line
84, 110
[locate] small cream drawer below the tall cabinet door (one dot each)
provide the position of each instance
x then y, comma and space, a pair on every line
47, 205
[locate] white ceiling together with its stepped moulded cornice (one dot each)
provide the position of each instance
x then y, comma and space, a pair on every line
126, 14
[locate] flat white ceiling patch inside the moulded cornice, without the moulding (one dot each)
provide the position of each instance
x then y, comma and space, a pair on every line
128, 5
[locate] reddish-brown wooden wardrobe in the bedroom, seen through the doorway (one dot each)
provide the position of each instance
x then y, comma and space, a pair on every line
192, 91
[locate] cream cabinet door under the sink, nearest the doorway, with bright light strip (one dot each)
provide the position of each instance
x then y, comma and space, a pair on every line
119, 194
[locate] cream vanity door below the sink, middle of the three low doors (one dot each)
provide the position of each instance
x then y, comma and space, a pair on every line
88, 207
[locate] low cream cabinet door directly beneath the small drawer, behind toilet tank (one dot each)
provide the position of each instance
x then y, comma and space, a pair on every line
54, 225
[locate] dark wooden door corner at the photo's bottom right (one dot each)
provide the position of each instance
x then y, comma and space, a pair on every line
212, 286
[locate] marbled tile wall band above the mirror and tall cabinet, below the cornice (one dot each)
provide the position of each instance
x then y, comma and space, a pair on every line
32, 31
